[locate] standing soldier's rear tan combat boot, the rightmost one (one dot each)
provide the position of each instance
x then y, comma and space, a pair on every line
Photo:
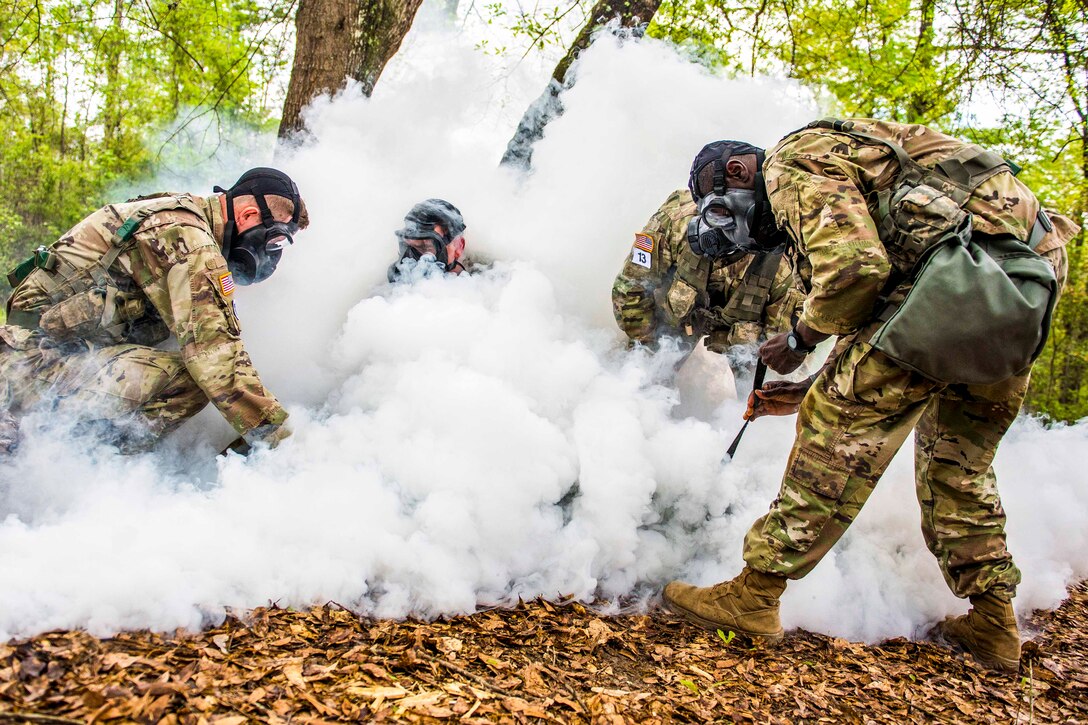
988, 632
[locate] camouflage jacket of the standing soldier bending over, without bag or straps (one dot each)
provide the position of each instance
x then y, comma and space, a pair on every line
823, 187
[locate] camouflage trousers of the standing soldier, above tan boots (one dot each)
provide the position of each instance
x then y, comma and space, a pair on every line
855, 419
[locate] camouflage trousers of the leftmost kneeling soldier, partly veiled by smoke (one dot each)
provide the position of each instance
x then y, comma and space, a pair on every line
134, 392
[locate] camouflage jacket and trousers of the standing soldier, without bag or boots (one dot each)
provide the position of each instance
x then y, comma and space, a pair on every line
863, 407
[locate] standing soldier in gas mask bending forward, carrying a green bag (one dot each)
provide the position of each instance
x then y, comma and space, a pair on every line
873, 214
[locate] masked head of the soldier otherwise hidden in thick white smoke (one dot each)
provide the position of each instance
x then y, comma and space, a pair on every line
431, 242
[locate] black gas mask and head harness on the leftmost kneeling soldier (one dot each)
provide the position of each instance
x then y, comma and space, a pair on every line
252, 256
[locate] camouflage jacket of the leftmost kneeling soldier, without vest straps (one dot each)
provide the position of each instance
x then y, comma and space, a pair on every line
176, 273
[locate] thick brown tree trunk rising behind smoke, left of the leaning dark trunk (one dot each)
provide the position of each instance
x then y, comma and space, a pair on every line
340, 40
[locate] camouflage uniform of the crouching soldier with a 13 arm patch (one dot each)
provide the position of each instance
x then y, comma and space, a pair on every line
677, 292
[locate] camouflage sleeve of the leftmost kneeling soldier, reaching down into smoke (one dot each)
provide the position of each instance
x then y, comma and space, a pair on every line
182, 272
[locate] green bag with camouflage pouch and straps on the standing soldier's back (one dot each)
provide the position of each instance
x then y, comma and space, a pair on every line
980, 308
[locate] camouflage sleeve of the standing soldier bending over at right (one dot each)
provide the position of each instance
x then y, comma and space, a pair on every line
815, 193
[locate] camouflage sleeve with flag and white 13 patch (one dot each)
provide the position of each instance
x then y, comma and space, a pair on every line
648, 268
